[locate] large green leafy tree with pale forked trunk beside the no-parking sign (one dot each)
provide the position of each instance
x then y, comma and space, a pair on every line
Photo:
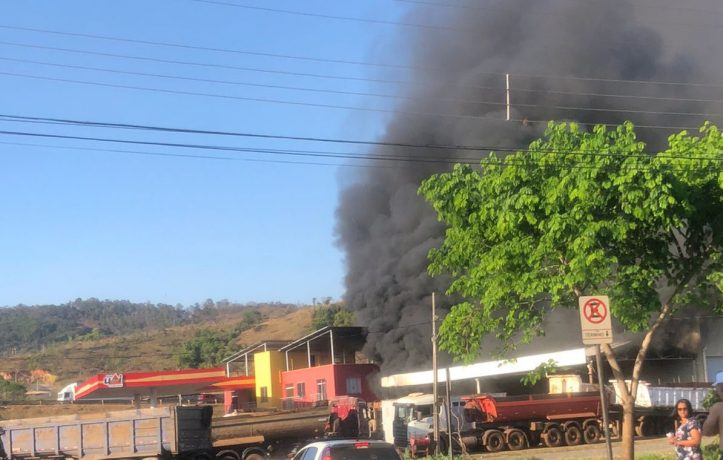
581, 213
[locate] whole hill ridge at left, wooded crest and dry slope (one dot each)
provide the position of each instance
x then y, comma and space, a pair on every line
86, 337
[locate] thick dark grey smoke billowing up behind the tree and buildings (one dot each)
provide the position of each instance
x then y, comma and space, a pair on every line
567, 59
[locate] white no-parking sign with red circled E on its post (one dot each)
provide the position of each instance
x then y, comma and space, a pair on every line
596, 329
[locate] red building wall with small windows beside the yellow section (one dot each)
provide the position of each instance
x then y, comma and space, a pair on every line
340, 380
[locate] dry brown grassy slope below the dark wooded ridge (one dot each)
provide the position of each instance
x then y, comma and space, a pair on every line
151, 349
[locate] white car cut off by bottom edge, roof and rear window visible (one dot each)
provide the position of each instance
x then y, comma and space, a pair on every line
348, 449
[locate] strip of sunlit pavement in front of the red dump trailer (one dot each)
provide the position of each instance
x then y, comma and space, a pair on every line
596, 451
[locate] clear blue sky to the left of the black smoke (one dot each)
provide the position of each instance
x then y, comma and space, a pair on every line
81, 219
